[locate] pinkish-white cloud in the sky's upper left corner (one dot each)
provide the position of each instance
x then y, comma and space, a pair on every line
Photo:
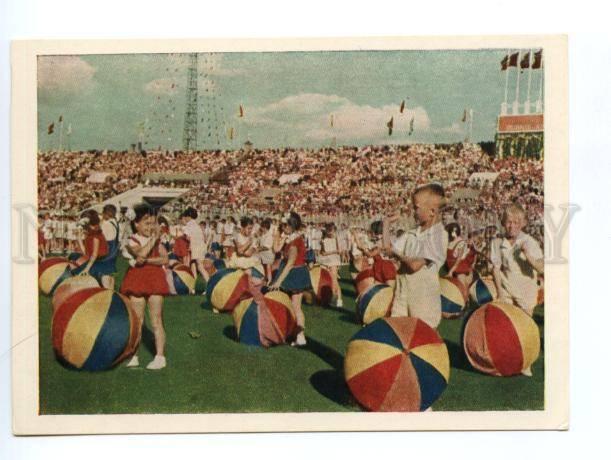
64, 74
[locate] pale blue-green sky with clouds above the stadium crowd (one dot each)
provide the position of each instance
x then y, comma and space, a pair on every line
288, 97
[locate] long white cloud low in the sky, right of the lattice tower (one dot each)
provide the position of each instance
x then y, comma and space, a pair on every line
308, 116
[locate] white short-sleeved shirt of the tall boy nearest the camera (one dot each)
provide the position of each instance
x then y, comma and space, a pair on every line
430, 244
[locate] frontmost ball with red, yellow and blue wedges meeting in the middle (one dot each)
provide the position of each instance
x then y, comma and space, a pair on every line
397, 365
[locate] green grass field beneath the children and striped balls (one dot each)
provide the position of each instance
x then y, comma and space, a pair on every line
216, 374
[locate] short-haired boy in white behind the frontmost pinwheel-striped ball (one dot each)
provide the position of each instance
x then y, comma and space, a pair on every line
421, 253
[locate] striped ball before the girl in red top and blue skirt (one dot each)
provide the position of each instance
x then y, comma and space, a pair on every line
269, 322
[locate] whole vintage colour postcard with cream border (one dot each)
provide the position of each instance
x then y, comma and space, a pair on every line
290, 235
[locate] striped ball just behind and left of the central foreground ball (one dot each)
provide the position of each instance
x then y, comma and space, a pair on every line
226, 288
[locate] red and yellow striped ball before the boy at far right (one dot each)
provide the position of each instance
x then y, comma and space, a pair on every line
500, 339
